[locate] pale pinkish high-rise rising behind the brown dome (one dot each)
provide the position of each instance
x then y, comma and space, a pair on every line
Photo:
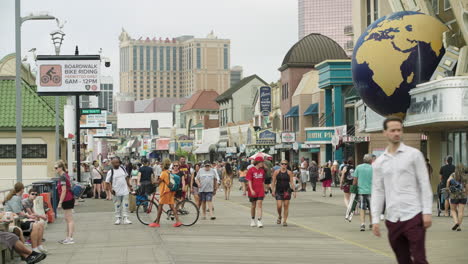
328, 18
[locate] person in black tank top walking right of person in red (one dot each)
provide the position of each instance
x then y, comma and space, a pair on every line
283, 187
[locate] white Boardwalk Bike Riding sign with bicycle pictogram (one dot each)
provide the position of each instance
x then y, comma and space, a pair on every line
68, 76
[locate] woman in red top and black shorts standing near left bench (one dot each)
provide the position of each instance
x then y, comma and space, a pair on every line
66, 200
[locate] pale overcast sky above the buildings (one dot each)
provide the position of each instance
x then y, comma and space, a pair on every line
261, 31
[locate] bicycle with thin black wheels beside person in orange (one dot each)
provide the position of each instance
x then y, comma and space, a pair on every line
147, 211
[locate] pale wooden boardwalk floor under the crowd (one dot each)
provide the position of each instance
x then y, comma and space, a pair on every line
316, 233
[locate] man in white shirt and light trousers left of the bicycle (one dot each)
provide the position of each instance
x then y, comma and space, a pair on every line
117, 181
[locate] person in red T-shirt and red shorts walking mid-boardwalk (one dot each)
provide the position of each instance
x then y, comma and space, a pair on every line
256, 179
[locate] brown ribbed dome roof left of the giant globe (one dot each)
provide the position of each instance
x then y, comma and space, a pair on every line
311, 50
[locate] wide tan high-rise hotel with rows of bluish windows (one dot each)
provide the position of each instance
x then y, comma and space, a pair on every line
176, 67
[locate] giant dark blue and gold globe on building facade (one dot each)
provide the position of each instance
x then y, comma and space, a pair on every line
394, 54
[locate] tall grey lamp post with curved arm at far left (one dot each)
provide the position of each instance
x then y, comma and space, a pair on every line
19, 124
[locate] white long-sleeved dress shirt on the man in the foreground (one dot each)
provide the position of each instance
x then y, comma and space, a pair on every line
401, 181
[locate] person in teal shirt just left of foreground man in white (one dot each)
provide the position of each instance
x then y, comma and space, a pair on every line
363, 181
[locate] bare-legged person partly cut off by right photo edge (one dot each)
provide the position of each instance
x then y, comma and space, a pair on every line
457, 185
